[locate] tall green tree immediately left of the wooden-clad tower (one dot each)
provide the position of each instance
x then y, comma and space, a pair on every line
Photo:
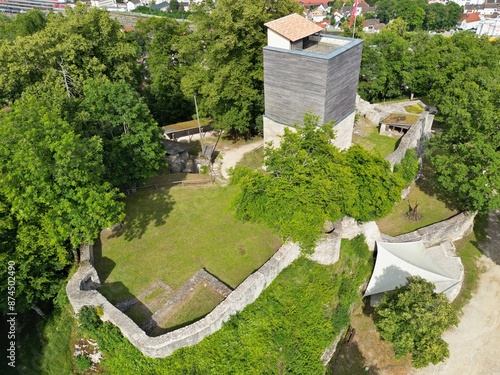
224, 60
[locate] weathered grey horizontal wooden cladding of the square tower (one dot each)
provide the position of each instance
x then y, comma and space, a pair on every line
295, 83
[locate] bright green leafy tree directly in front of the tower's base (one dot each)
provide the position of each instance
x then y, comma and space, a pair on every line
308, 181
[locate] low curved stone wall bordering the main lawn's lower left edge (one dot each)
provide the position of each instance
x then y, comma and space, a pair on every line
81, 292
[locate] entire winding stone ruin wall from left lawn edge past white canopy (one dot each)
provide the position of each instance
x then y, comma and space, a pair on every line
81, 287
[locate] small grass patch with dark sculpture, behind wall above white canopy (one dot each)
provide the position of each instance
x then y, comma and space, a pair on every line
430, 208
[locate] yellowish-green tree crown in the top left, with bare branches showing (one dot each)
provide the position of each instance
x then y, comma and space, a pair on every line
85, 43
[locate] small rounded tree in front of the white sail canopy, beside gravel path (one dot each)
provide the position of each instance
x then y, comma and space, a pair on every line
412, 318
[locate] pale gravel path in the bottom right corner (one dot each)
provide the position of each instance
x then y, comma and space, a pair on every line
474, 344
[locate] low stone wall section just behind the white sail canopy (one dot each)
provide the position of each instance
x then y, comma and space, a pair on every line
452, 229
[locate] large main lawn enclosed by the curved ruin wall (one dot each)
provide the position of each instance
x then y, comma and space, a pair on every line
170, 234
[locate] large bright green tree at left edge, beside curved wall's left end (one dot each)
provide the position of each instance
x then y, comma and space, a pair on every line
52, 193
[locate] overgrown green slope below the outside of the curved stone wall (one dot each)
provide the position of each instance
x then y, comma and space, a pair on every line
285, 331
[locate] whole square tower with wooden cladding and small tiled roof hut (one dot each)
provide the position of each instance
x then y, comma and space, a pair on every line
306, 71
